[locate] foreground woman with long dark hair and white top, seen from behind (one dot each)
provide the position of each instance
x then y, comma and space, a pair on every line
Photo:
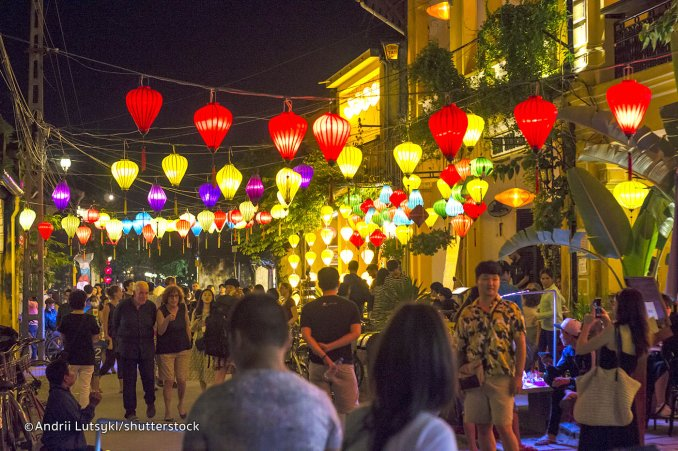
412, 380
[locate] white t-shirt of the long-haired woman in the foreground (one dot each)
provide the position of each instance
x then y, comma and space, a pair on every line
427, 432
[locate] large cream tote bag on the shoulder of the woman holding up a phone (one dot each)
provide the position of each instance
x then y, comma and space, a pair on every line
605, 396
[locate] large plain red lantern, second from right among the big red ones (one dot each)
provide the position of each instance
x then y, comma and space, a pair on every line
535, 117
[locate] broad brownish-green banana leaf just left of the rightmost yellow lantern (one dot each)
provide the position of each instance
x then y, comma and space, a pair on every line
605, 222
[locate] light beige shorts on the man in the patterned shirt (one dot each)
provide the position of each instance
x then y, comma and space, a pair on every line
491, 403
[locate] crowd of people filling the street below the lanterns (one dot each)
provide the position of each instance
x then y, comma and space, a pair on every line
235, 344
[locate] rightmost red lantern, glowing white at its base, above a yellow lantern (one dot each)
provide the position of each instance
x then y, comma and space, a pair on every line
628, 102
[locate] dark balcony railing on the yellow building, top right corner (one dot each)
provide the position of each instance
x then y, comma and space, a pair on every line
628, 47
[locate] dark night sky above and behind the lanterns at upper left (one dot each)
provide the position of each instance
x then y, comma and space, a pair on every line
283, 47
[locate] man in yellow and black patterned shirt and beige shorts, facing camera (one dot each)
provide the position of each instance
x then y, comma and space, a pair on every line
491, 329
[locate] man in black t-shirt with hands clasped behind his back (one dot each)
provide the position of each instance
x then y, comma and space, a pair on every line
330, 324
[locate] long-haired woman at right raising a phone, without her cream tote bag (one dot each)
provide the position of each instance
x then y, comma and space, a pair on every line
631, 326
